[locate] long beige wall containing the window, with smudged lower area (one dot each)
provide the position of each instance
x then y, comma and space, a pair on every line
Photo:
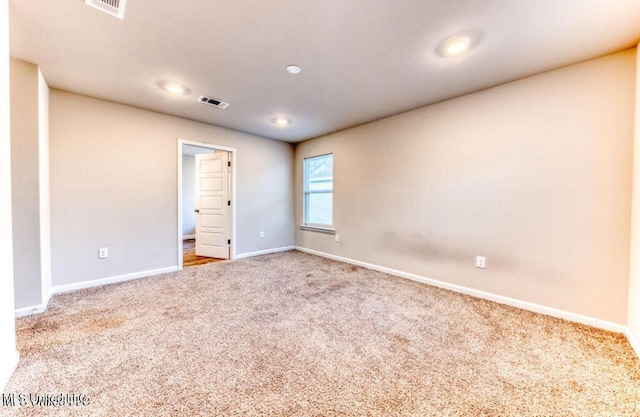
535, 175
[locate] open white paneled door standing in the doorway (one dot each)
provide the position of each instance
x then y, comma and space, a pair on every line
212, 205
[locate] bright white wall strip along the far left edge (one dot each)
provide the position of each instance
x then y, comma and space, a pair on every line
8, 355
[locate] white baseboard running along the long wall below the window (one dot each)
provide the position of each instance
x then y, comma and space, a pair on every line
525, 305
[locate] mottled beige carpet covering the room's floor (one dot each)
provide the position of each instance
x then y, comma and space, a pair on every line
290, 334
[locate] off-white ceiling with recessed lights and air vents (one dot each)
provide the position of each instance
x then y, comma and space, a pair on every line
361, 60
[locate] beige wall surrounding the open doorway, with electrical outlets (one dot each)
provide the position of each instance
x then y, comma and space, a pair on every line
114, 184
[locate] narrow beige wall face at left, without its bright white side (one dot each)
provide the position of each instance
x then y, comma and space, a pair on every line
25, 157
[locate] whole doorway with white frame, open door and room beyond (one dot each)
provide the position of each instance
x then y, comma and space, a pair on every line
206, 206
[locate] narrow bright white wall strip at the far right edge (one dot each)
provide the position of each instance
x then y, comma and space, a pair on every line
634, 282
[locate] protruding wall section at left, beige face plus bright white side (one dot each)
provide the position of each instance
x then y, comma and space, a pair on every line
30, 182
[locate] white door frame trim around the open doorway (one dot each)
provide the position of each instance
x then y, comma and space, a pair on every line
233, 154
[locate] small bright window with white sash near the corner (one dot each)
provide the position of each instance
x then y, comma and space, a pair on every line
318, 190
